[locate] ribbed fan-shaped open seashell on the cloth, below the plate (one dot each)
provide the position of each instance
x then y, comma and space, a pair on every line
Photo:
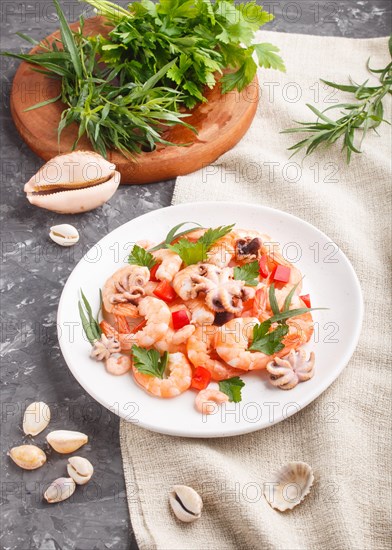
289, 486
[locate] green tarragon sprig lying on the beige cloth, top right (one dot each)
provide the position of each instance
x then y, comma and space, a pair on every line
366, 113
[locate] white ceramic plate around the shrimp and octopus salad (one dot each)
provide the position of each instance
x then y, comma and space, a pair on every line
329, 278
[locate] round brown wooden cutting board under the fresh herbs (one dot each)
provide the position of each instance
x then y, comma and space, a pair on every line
221, 123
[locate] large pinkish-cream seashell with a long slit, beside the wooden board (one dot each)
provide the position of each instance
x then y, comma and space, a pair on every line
73, 183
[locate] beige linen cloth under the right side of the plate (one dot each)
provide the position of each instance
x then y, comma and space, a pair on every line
346, 433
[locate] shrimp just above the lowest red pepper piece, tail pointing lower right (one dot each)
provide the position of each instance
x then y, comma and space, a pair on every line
201, 353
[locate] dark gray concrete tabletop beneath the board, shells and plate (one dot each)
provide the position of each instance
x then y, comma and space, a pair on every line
34, 271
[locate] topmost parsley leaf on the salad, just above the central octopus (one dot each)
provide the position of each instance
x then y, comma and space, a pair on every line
192, 253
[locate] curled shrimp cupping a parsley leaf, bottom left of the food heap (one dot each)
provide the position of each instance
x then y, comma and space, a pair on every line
178, 378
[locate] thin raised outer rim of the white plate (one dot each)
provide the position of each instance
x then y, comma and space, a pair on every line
327, 381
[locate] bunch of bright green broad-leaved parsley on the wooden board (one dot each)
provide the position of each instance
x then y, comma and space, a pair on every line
202, 38
